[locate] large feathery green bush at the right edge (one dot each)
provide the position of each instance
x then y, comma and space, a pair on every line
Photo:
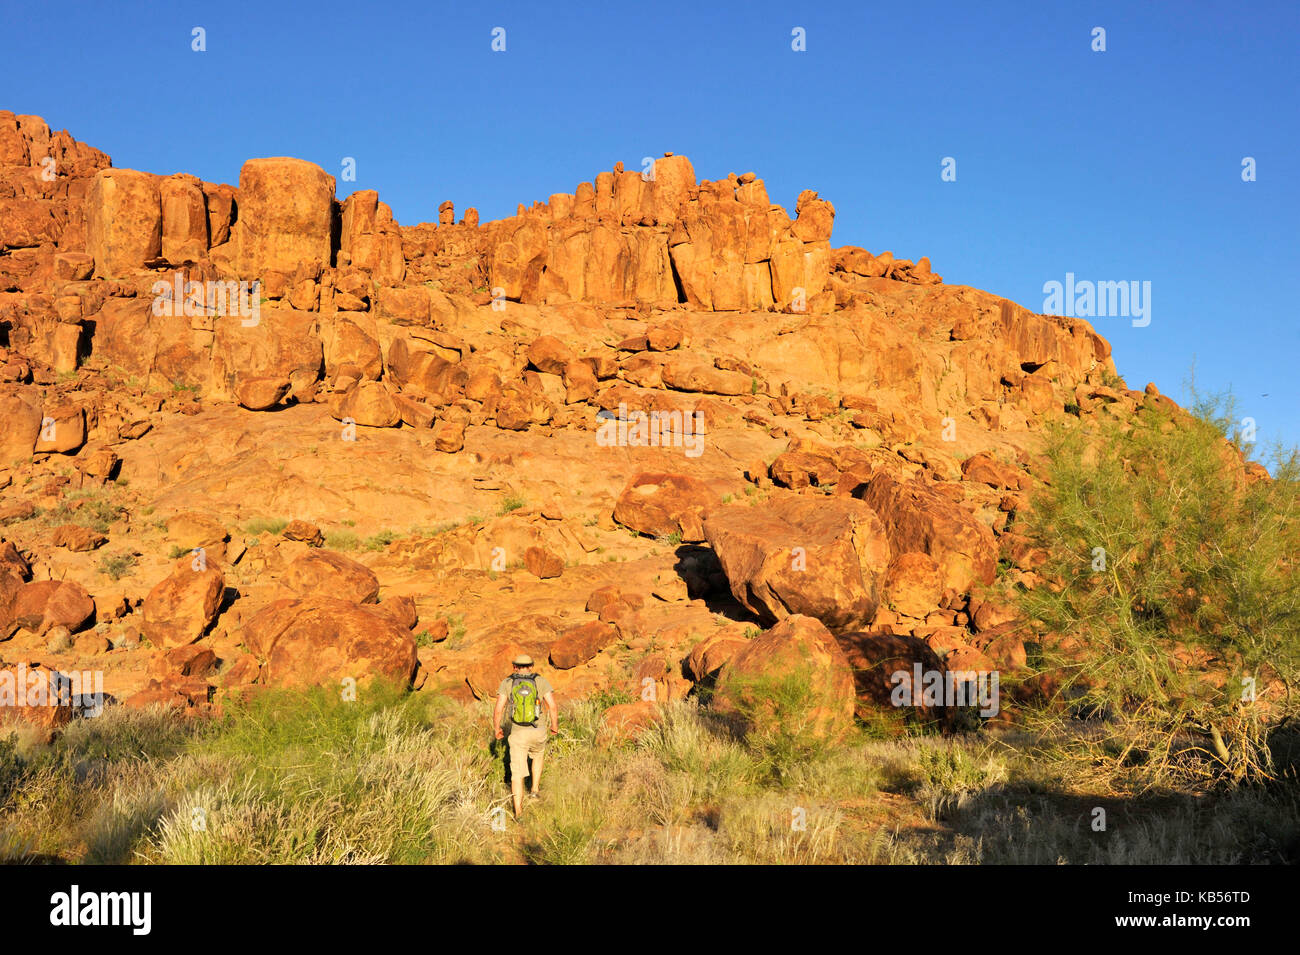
1173, 574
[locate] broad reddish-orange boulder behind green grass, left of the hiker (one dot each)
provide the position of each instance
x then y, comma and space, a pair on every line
322, 641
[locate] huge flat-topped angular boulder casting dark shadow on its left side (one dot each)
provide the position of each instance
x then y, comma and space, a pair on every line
822, 558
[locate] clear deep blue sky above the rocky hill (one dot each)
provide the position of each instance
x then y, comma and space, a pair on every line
1116, 166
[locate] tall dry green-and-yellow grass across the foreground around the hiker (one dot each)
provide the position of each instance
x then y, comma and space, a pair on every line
401, 778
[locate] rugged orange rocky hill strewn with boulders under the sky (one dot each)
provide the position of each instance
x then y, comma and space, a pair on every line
254, 436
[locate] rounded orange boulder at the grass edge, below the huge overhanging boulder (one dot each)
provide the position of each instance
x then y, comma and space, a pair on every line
798, 649
